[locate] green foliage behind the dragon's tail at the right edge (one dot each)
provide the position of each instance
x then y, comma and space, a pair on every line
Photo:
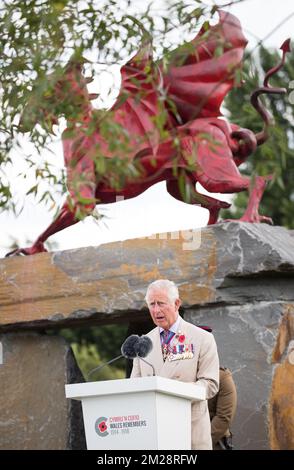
276, 156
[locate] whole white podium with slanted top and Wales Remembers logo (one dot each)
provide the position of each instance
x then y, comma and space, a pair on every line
141, 413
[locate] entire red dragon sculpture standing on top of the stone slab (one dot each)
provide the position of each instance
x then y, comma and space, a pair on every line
193, 143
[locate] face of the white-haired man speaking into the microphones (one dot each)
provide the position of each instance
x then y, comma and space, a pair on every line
164, 313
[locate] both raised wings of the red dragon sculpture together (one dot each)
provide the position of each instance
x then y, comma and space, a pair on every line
200, 74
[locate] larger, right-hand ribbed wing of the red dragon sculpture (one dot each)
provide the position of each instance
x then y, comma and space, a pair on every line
201, 72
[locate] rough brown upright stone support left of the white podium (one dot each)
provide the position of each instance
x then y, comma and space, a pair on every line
34, 411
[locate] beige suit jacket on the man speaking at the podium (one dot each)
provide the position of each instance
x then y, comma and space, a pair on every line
203, 368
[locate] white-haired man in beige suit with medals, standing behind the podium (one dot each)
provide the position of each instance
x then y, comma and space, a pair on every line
181, 351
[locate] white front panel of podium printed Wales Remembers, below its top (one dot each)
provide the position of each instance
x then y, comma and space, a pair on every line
148, 420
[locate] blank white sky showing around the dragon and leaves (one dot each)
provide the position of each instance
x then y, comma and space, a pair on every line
154, 211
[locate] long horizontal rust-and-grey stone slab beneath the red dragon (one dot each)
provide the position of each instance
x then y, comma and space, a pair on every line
219, 264
